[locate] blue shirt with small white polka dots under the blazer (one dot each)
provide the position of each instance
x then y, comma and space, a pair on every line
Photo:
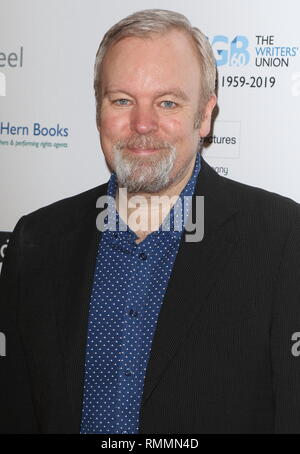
130, 281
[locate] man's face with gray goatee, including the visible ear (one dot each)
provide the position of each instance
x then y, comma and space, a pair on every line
150, 106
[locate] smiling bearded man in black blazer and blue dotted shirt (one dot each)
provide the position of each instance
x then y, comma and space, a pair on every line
140, 330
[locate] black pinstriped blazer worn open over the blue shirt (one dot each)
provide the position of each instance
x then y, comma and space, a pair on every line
221, 358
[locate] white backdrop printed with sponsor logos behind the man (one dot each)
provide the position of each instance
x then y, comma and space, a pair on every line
49, 145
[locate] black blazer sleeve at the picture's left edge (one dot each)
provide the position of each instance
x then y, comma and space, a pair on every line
16, 408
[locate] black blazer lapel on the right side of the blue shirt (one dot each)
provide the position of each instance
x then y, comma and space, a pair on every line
197, 266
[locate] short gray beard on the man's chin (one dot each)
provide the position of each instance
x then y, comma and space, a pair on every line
149, 174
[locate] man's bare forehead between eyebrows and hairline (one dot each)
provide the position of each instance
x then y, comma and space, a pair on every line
152, 63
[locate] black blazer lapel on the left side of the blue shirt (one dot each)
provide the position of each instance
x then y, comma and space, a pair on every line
78, 252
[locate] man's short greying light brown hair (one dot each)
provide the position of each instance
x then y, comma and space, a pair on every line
158, 21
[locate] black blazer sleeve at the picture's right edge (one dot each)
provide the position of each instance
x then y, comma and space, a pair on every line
285, 337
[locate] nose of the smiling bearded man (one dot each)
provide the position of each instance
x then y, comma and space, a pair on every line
144, 120
